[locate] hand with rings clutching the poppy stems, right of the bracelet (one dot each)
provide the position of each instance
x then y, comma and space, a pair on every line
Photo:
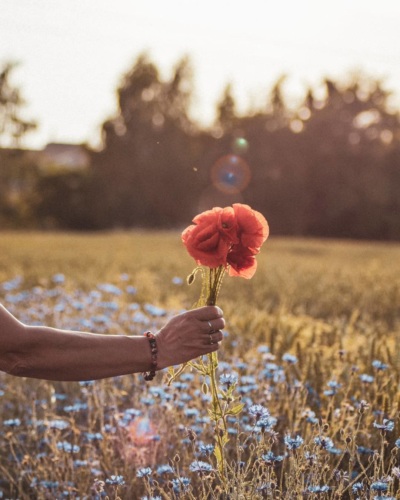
190, 335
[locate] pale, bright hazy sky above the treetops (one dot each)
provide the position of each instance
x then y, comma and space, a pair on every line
73, 53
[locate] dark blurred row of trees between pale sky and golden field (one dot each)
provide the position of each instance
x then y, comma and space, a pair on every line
329, 167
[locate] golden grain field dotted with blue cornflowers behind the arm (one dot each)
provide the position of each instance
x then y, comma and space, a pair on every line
311, 350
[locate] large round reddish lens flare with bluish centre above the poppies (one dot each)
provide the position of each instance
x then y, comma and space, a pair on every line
230, 174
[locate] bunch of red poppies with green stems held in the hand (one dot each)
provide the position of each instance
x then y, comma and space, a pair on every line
223, 240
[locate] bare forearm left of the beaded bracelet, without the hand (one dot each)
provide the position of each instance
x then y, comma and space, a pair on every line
53, 354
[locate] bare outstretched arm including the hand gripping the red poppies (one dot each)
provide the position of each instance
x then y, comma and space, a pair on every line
55, 354
